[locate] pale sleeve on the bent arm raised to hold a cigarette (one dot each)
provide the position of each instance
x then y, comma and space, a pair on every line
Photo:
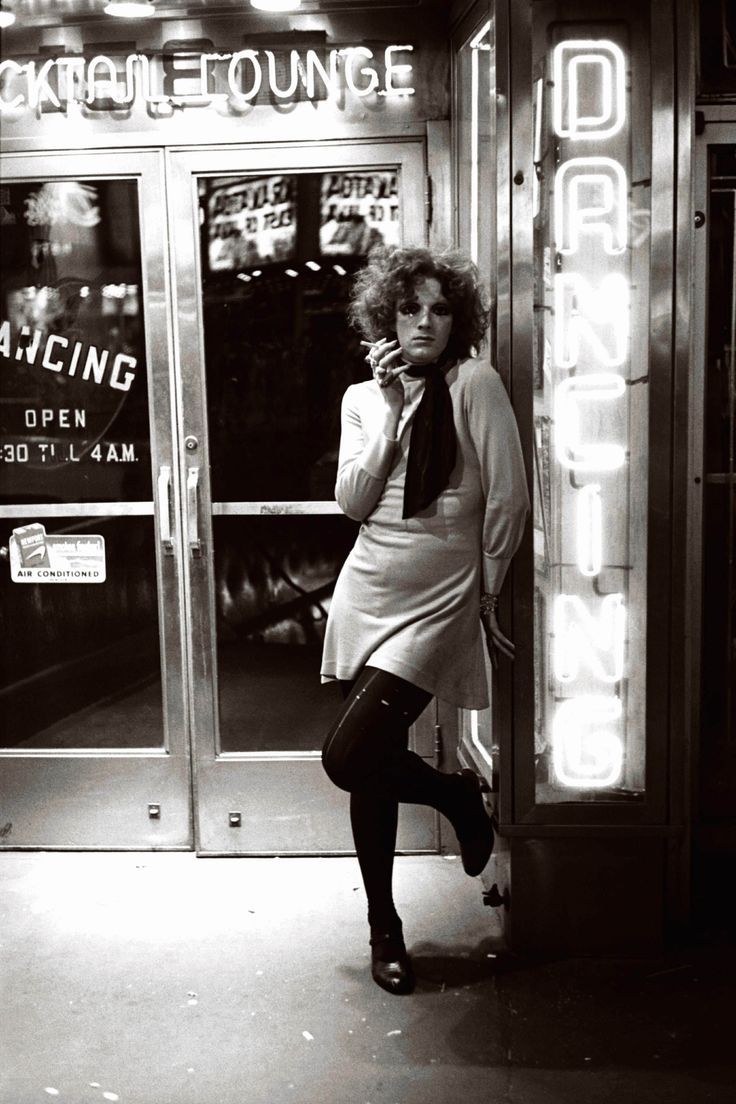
364, 463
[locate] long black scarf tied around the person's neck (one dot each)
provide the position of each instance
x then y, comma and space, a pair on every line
433, 448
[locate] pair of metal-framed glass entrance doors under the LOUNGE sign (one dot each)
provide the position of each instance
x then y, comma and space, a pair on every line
174, 349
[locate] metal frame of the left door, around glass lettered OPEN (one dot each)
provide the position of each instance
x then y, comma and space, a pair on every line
108, 794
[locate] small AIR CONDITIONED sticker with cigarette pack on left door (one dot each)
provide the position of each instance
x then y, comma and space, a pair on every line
37, 557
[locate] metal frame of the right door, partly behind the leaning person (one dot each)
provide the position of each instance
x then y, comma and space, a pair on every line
222, 784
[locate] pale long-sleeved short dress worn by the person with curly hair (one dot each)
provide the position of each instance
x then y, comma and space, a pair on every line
408, 598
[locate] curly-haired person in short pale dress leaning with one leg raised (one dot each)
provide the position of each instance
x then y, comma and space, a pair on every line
431, 465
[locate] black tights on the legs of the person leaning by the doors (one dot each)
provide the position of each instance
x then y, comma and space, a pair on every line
367, 753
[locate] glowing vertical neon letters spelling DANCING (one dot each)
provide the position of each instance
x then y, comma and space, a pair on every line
591, 348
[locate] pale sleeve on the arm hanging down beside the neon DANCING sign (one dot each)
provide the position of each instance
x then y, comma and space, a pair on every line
495, 434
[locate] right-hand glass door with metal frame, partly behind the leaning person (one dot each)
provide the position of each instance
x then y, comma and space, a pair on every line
263, 259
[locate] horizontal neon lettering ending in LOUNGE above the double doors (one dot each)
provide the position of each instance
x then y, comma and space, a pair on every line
240, 79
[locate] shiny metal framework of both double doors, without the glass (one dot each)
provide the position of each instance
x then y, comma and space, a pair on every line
108, 800
